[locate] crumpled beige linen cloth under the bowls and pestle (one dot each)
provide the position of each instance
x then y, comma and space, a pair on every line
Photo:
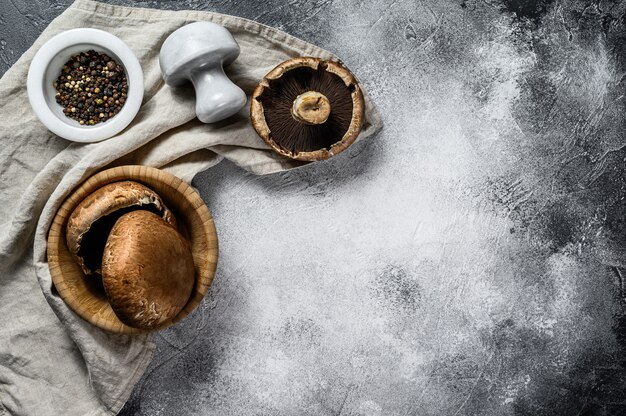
51, 361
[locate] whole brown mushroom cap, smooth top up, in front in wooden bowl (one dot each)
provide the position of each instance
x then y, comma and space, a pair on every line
147, 270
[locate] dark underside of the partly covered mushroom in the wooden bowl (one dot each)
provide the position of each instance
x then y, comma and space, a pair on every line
94, 240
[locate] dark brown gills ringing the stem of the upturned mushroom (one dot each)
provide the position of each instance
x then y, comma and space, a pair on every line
294, 136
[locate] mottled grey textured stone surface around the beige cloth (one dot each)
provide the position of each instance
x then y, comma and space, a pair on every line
468, 260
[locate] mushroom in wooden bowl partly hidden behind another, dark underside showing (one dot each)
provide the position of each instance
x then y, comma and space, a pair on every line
89, 224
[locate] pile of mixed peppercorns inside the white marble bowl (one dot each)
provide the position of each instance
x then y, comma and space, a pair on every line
91, 88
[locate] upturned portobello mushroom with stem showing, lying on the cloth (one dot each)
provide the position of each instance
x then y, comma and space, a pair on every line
310, 132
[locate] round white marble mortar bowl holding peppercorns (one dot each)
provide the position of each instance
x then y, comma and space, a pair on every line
46, 67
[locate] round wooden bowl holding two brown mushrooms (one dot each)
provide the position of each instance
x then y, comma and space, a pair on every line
85, 295
